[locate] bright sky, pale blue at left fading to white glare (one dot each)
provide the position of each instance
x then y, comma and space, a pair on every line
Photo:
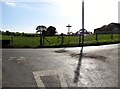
26, 15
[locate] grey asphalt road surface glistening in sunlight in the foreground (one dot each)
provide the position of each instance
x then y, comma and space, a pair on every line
98, 67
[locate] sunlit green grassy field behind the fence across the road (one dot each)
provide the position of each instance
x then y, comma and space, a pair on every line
22, 41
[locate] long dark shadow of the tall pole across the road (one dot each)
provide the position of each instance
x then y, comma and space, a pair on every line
77, 71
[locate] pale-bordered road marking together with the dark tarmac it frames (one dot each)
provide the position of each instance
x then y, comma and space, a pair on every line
50, 78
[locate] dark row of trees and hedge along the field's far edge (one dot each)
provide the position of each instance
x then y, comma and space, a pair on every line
43, 31
